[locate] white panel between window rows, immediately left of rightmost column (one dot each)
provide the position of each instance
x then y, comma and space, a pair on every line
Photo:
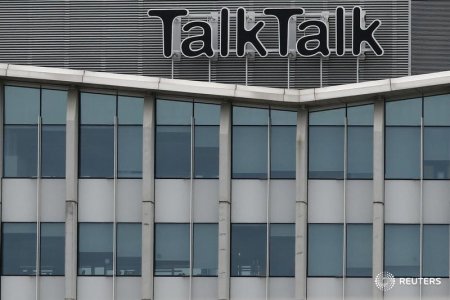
359, 201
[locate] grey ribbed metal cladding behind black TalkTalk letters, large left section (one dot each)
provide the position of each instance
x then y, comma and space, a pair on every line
117, 36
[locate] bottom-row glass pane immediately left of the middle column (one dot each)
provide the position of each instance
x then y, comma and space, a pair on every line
205, 250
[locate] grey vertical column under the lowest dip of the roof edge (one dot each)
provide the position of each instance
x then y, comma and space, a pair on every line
301, 205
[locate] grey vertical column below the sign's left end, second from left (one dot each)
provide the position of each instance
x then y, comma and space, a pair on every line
148, 196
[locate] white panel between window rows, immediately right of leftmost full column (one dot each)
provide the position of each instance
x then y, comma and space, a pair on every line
95, 198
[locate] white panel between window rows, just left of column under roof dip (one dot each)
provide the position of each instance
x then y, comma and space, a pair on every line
282, 201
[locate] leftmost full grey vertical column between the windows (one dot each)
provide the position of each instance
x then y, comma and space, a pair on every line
71, 195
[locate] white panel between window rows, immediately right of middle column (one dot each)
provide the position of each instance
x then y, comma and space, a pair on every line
248, 201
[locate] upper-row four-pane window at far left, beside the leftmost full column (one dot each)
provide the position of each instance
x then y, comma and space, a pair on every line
28, 110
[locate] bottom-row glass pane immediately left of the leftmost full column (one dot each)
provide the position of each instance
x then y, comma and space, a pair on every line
52, 249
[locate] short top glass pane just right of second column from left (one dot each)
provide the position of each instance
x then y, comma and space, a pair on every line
173, 112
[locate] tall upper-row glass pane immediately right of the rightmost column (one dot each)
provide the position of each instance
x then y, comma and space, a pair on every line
402, 153
